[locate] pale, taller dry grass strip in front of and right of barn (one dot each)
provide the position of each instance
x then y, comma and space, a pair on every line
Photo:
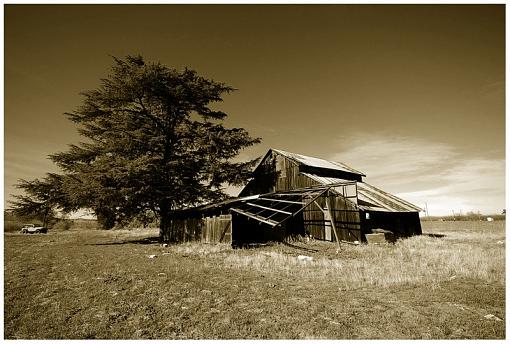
462, 253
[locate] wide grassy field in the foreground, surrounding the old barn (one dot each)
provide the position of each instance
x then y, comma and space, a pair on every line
97, 284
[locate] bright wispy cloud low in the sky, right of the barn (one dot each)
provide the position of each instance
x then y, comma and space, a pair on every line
422, 172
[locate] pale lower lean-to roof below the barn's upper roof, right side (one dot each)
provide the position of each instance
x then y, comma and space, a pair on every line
370, 197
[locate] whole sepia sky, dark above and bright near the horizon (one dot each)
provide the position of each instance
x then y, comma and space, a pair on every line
412, 95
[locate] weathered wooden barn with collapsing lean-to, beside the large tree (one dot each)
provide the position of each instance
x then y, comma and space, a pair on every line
292, 195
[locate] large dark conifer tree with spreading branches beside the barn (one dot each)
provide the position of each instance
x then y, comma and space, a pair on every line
153, 143
